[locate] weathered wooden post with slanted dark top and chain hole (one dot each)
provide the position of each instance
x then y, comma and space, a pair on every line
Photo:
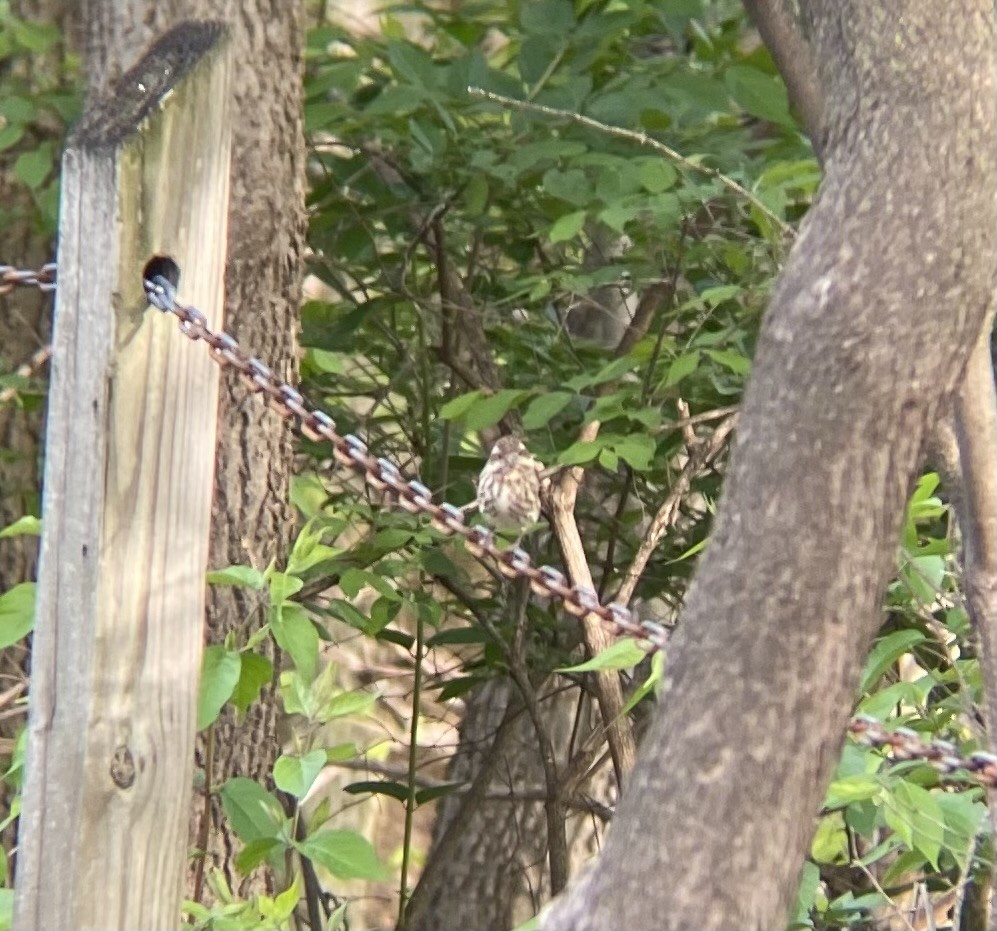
128, 480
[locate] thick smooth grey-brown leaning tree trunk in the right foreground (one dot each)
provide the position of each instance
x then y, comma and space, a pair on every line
881, 302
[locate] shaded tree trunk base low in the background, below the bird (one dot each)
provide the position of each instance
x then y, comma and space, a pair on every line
491, 841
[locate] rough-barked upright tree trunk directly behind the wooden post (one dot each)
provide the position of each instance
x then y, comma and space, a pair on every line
252, 516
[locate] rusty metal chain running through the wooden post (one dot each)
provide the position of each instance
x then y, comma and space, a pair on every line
412, 496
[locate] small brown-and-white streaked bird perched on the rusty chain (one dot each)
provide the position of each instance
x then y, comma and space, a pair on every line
509, 486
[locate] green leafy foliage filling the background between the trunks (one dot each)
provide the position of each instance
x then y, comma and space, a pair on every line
475, 267
